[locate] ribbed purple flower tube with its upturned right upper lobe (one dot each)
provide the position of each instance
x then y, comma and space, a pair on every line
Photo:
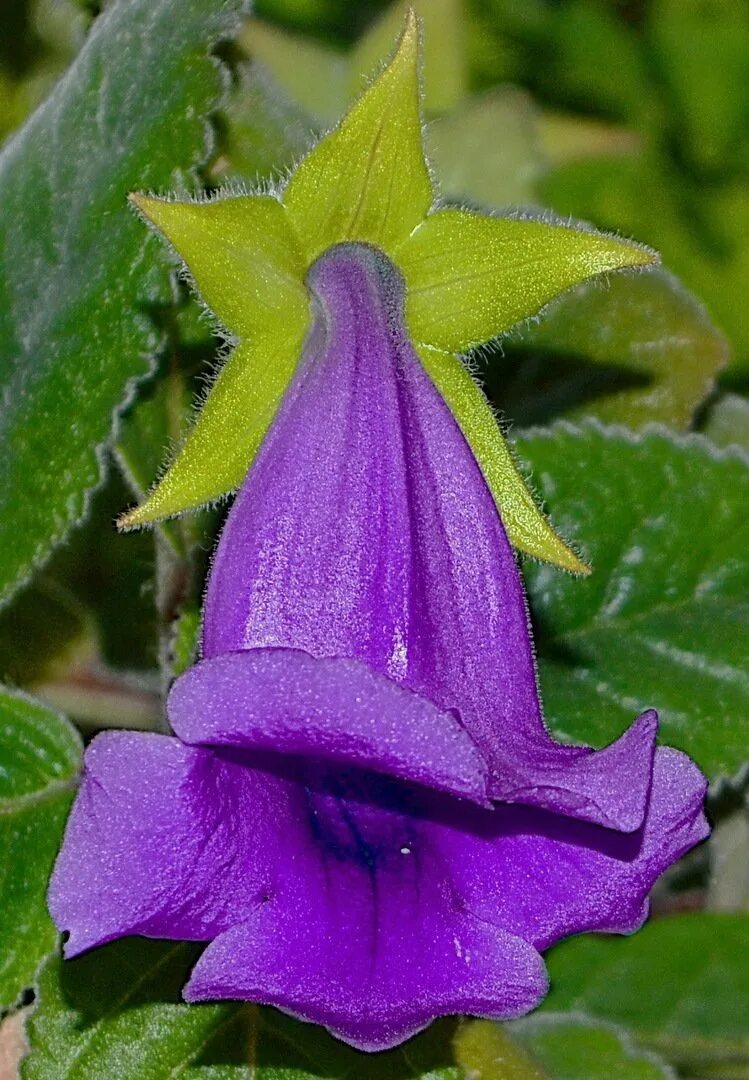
365, 531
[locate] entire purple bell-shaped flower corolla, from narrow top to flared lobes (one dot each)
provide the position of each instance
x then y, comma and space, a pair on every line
361, 811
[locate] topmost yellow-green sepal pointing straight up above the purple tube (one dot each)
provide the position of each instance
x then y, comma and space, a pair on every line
367, 181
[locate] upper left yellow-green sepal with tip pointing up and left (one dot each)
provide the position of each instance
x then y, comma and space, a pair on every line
242, 254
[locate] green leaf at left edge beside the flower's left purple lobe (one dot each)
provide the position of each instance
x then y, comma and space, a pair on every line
40, 754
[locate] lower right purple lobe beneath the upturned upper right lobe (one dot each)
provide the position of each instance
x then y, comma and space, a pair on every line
543, 876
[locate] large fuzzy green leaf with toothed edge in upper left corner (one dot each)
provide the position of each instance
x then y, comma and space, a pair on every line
77, 271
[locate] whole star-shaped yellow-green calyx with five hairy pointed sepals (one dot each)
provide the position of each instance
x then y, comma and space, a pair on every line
469, 279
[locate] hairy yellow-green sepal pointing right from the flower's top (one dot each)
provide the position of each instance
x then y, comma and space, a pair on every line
471, 278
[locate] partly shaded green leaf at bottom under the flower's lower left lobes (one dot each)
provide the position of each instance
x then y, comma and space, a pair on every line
117, 1012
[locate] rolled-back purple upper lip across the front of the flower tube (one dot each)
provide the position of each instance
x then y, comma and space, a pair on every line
342, 711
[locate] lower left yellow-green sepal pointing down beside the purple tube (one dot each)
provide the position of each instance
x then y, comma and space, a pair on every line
229, 429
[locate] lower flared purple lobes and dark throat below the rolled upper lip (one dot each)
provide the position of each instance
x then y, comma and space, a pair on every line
344, 897
